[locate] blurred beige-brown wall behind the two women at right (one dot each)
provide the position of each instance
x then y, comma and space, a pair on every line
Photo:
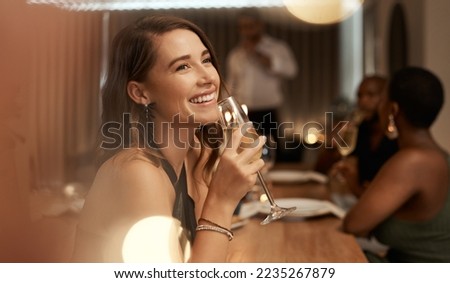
429, 44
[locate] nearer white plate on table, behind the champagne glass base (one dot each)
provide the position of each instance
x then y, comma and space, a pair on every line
305, 207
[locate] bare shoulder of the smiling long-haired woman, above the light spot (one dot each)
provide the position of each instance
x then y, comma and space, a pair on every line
133, 185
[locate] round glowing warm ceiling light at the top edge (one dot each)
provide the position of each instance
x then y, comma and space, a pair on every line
322, 11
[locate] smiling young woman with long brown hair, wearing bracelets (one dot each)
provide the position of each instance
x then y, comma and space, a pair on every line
161, 185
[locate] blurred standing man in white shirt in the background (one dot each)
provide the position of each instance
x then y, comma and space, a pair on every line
255, 71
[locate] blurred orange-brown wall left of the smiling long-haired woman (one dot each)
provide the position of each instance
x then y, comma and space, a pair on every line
49, 77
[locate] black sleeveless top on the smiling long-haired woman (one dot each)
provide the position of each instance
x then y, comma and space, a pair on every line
184, 207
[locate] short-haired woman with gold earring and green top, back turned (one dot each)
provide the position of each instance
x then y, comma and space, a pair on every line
407, 206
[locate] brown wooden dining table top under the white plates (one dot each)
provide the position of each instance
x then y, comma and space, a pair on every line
316, 239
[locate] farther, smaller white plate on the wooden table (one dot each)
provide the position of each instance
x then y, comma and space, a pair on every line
292, 176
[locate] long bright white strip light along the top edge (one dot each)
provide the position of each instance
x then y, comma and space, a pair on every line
114, 5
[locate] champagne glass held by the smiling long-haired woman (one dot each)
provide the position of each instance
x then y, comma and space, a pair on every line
233, 116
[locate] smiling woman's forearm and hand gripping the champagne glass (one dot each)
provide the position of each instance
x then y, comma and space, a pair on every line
233, 178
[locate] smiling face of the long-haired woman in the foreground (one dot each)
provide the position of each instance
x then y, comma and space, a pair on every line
183, 80
